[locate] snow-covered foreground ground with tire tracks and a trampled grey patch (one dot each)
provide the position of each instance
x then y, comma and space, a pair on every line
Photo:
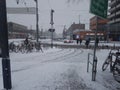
58, 69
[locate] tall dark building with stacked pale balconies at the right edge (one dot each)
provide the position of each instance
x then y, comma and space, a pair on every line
114, 20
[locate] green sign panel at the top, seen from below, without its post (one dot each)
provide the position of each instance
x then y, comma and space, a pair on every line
99, 8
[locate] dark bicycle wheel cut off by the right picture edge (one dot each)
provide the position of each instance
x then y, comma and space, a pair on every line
116, 73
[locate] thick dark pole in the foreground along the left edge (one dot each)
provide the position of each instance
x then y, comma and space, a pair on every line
6, 68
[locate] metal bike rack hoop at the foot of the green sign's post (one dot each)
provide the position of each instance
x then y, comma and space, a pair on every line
94, 66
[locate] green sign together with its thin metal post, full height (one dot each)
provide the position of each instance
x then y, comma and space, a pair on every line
98, 8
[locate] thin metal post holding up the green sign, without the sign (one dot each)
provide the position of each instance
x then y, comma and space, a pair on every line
94, 53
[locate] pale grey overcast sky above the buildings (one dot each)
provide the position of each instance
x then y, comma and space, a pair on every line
66, 12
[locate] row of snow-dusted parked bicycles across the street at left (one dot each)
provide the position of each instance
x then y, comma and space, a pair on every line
24, 47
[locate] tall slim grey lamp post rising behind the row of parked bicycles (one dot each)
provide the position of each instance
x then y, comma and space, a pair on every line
37, 20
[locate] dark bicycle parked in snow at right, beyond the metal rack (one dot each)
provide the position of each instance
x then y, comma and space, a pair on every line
114, 64
